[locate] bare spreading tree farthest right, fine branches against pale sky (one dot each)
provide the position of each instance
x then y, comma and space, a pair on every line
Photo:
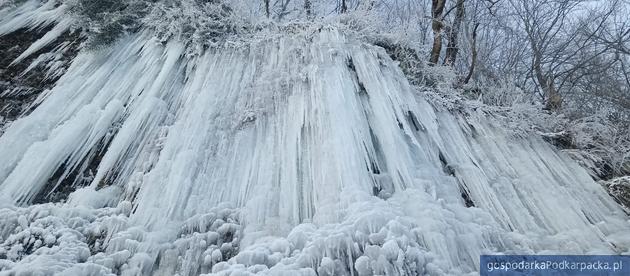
564, 46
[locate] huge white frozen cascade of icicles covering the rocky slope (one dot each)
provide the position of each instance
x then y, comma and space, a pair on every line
299, 154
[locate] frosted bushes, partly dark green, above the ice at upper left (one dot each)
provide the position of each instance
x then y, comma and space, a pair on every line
198, 22
